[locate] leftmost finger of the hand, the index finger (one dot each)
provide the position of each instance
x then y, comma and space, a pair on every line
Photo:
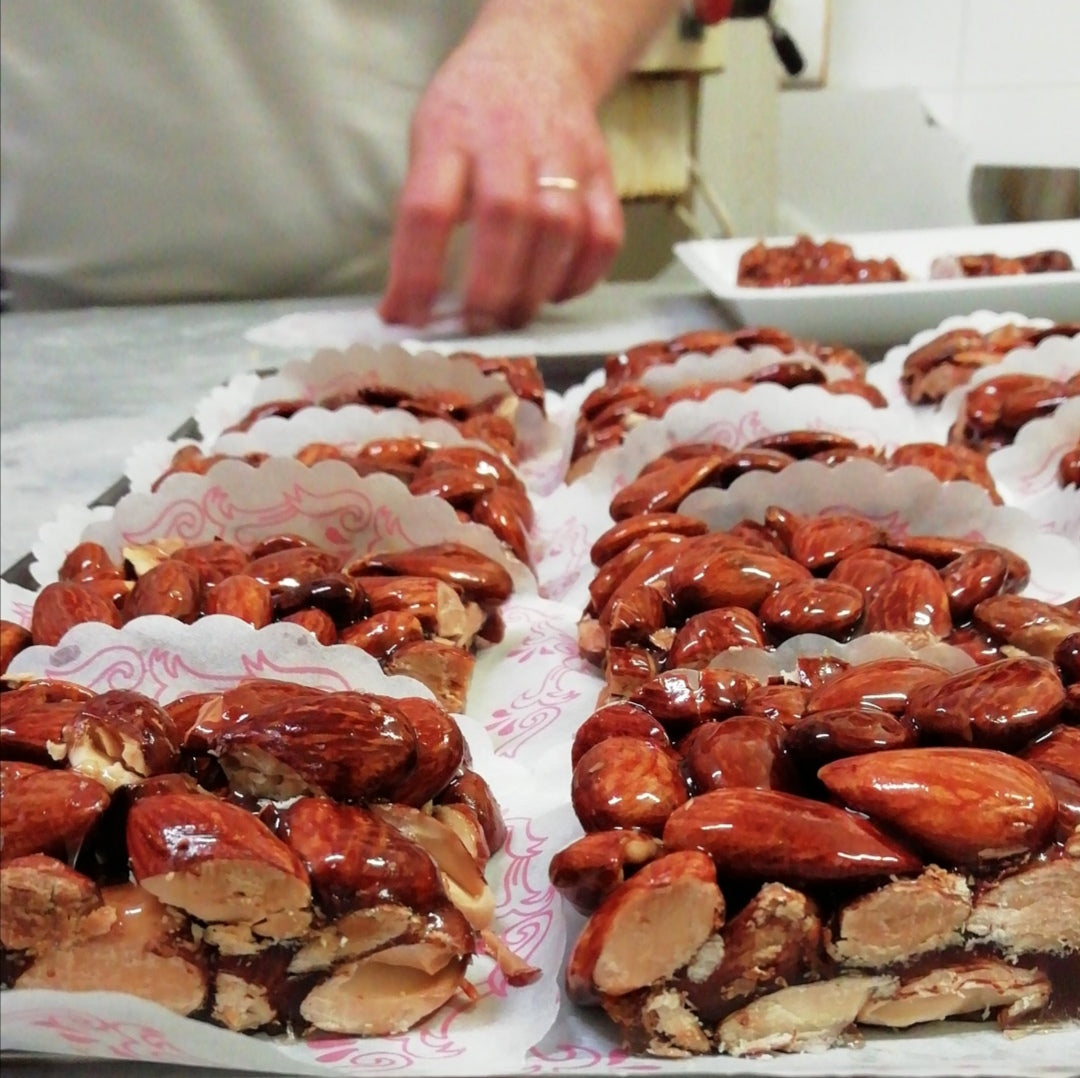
434, 200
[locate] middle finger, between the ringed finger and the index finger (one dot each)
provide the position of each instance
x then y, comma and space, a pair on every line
504, 219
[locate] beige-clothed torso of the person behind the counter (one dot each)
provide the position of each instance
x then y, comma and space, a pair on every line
166, 150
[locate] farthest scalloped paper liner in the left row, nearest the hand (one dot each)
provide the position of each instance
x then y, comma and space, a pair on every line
331, 372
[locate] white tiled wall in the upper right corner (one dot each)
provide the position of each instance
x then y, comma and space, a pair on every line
1004, 74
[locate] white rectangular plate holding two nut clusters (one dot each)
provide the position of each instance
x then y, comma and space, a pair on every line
890, 313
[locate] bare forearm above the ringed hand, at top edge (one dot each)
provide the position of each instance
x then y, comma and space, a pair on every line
601, 38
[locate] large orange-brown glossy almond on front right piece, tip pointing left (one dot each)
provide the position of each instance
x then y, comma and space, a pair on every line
967, 806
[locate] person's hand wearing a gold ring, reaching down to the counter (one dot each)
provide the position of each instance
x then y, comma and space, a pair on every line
506, 139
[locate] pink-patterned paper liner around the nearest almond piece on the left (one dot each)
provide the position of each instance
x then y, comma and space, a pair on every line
165, 659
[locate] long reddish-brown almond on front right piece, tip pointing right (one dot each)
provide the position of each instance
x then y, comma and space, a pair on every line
765, 834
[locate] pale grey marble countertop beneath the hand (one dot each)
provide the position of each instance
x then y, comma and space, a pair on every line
80, 388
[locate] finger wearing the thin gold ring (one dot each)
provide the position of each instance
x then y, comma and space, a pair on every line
559, 235
